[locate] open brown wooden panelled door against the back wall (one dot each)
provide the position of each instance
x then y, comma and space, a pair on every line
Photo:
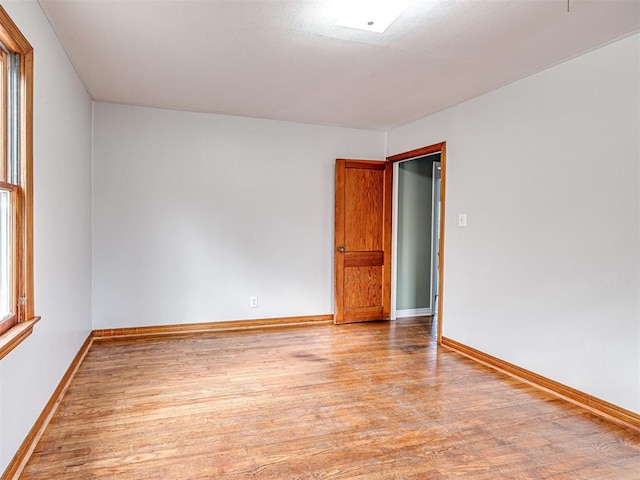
363, 240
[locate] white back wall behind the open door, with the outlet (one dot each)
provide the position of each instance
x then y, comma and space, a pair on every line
194, 213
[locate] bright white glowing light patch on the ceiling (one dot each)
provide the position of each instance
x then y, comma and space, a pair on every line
371, 15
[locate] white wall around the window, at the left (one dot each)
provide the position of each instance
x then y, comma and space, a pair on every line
62, 233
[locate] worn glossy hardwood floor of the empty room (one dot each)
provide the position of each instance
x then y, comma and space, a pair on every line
370, 401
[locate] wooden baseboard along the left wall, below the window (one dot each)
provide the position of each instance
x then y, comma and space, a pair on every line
17, 464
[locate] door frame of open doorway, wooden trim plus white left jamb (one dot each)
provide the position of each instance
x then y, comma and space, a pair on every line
410, 155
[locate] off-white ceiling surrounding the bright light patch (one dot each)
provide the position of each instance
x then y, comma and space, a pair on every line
286, 60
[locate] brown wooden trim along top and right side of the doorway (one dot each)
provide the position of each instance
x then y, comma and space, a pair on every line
421, 152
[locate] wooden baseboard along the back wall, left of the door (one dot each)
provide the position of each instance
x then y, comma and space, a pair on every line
208, 327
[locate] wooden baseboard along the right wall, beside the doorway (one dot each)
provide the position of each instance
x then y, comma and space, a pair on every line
595, 405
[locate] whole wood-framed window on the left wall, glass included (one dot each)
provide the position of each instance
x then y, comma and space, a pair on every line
16, 204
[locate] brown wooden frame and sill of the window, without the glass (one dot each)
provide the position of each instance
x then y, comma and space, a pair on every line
16, 43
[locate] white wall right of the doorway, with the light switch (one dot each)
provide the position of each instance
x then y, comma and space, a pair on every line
546, 275
